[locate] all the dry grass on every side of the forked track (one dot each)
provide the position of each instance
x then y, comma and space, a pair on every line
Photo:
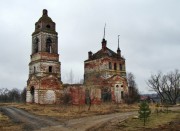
69, 112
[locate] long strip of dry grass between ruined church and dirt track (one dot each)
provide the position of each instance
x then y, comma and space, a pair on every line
73, 111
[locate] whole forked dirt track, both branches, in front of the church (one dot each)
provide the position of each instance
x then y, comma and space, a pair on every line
34, 122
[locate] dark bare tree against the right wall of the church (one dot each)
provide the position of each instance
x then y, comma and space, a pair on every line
133, 95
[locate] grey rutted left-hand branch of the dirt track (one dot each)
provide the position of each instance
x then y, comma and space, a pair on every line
29, 121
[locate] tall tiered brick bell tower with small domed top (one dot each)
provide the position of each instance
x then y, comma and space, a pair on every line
44, 82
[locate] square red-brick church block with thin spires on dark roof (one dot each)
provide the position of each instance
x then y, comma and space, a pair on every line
105, 73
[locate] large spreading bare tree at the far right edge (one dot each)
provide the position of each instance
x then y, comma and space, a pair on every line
166, 86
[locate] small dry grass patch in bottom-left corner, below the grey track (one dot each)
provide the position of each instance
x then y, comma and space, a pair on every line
7, 125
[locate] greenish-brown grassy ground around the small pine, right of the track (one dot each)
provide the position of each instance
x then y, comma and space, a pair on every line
157, 122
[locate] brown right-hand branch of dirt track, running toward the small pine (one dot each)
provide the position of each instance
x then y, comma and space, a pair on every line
89, 123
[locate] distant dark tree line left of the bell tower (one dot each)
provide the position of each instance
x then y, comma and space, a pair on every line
13, 95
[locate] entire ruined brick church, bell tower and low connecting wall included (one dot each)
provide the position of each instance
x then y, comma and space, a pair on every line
104, 71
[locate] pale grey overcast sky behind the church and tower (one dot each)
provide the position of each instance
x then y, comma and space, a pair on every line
149, 29
